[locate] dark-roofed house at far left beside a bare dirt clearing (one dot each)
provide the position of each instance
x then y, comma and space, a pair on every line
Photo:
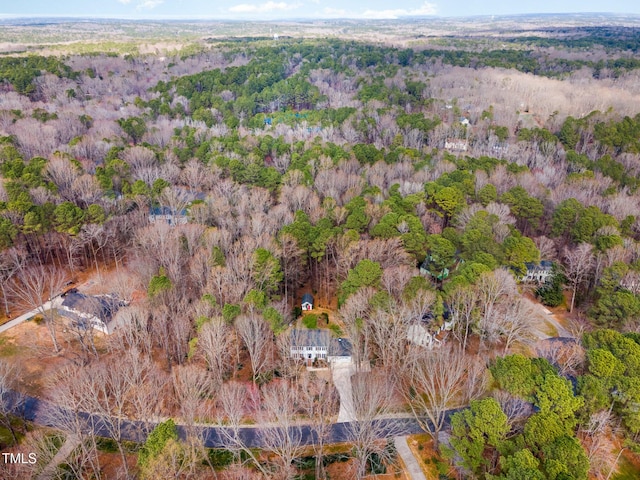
90, 311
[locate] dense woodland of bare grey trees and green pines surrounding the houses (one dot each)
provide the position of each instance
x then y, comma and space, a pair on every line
339, 168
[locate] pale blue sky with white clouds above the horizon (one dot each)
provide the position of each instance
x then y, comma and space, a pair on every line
309, 9
